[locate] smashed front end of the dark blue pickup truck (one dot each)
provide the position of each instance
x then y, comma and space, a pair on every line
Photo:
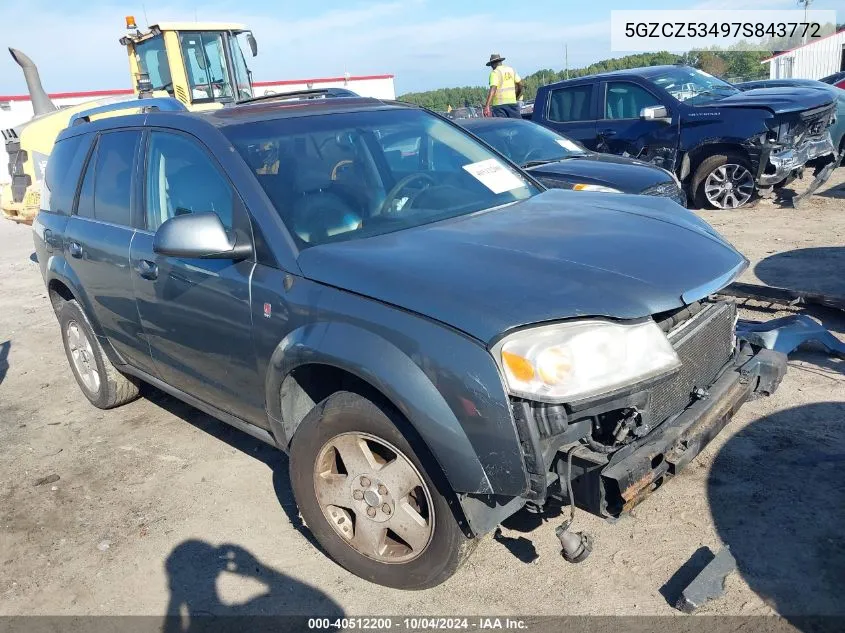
792, 142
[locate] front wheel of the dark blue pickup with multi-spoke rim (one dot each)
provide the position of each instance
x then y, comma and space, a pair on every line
723, 181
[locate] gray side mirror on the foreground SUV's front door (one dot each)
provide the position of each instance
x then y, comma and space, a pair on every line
200, 235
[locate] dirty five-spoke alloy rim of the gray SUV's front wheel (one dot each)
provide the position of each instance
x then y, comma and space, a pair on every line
374, 497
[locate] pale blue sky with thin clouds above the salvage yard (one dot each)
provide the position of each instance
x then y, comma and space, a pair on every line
426, 44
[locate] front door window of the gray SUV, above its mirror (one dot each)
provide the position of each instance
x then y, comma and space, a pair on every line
181, 178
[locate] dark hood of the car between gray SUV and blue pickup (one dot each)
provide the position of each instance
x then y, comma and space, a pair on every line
626, 174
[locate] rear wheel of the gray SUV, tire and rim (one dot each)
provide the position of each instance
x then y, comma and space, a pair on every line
111, 388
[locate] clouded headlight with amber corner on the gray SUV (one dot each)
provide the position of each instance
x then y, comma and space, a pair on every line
572, 361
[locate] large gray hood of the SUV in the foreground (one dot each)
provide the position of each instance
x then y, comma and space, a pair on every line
558, 255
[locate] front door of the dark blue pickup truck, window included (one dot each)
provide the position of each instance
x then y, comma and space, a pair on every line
622, 131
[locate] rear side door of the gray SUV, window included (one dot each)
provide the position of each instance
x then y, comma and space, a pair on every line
98, 238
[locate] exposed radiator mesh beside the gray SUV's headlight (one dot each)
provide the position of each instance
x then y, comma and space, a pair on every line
704, 344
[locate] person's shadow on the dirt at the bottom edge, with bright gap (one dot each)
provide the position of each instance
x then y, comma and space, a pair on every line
195, 570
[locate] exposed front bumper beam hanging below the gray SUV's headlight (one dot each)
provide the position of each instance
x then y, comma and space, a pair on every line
635, 471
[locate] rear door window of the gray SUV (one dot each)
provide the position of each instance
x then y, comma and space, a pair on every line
106, 191
